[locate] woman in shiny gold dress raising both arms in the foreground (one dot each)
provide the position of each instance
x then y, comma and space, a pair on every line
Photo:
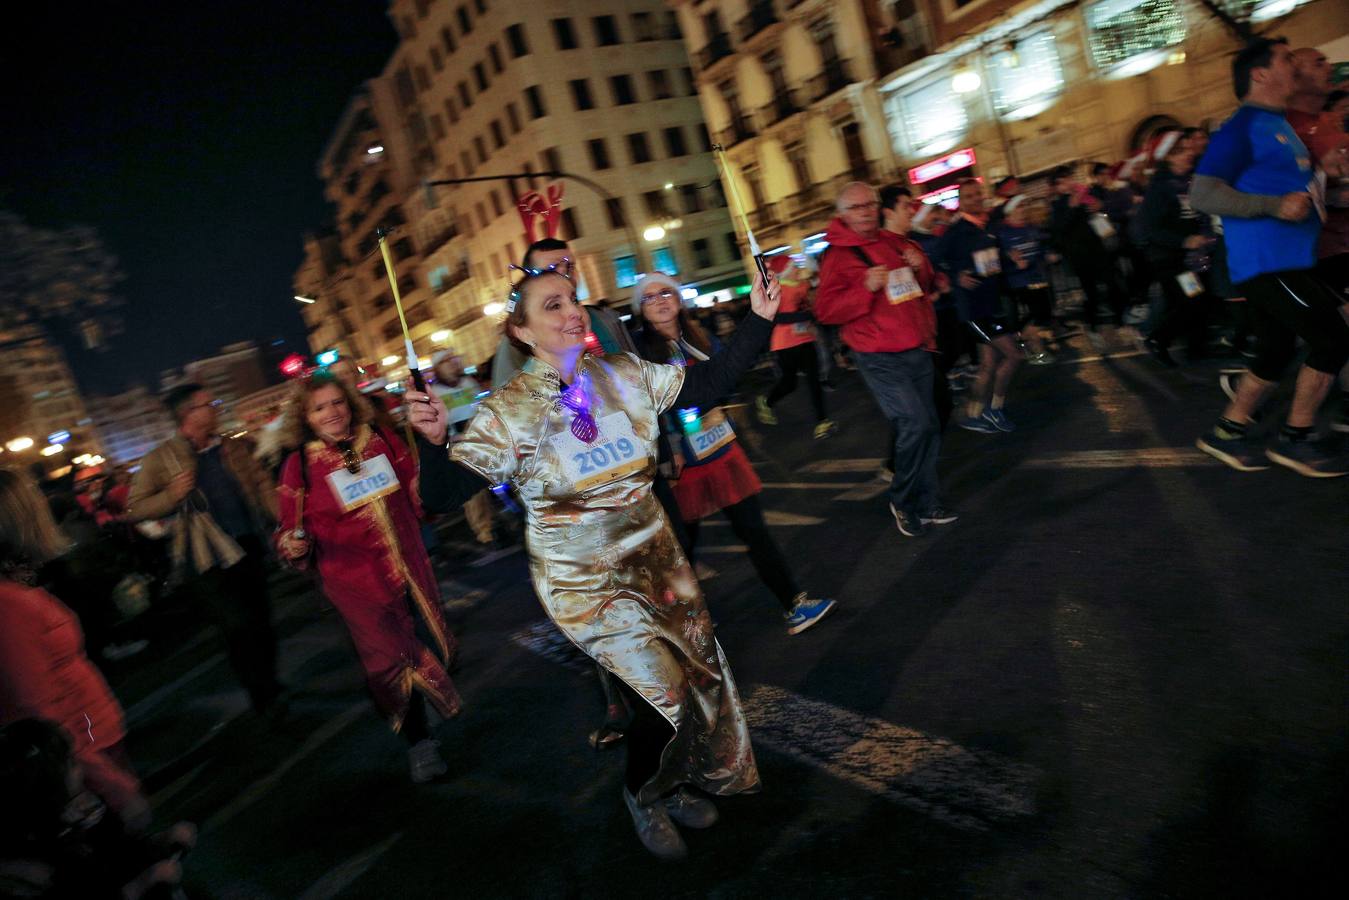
575, 435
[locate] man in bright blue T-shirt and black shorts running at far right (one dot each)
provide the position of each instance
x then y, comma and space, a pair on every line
1259, 177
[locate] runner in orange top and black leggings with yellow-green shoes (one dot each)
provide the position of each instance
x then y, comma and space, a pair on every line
794, 346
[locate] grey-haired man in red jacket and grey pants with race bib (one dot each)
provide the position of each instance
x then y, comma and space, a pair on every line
879, 287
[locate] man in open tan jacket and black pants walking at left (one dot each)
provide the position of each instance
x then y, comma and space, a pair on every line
223, 505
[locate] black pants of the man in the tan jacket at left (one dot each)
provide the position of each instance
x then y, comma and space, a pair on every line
238, 601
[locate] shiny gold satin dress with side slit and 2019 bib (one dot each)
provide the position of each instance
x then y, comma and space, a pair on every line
604, 559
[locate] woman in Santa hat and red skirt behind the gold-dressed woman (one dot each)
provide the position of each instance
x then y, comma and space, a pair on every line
712, 472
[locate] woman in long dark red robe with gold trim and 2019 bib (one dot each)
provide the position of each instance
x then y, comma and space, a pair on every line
350, 508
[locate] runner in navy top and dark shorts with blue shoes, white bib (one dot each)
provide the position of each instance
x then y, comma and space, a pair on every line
969, 256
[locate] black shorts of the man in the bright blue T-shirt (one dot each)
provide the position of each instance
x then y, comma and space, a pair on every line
1289, 306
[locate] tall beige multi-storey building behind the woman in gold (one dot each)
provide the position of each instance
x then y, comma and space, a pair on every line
597, 91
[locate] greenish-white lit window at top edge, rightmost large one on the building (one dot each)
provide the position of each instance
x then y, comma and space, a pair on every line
1130, 37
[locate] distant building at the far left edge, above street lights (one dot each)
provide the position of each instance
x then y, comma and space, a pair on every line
41, 397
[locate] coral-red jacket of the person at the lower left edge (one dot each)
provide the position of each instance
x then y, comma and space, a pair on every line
47, 675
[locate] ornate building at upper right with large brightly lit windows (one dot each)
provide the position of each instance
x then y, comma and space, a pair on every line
809, 95
